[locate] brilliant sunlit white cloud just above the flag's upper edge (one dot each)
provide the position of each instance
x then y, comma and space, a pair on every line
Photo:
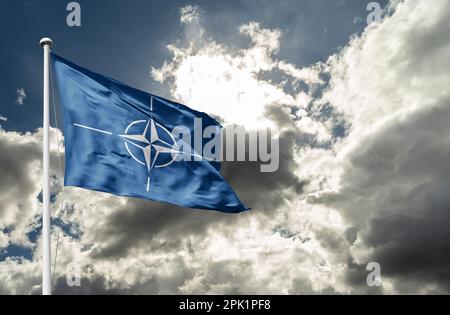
212, 78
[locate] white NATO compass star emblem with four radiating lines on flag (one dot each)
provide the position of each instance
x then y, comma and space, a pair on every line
148, 143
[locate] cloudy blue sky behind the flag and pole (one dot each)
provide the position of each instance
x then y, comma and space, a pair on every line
362, 109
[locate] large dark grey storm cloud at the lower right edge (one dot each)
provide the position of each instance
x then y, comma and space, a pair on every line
395, 194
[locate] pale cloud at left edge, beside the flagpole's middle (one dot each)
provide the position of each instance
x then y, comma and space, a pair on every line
20, 165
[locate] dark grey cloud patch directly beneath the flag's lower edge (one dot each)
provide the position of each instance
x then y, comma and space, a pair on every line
138, 222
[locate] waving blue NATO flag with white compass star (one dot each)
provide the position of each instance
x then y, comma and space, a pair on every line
120, 140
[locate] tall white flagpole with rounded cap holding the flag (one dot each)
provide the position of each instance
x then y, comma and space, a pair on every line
46, 43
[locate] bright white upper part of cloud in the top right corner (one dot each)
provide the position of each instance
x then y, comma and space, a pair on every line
383, 75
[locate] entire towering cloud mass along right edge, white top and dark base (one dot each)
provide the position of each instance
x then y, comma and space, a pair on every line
393, 166
